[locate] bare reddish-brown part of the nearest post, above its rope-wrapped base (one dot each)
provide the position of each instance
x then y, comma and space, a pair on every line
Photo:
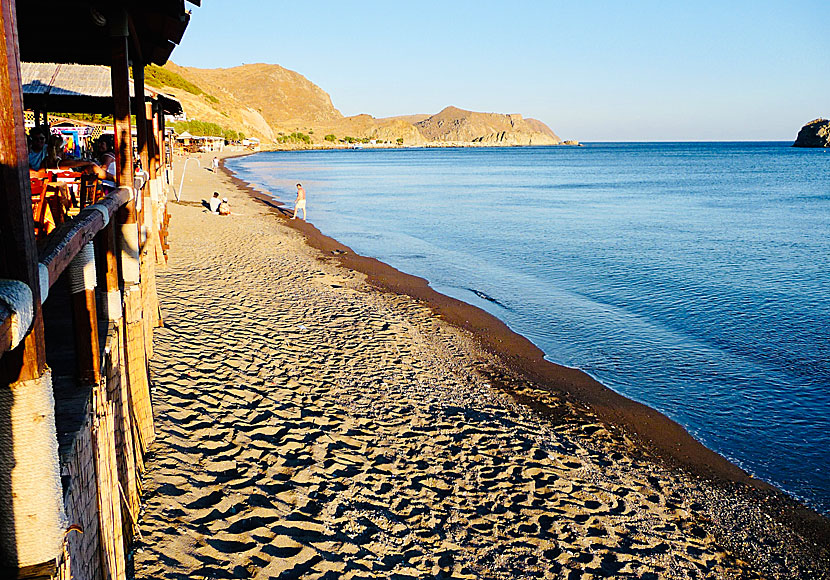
18, 252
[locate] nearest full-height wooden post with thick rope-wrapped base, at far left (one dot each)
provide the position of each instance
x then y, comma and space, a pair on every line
31, 505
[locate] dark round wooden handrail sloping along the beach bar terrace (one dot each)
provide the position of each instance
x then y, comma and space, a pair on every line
64, 243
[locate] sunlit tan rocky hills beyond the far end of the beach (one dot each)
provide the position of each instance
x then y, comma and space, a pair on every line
281, 106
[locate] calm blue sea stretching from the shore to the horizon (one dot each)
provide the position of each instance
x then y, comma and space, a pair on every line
692, 277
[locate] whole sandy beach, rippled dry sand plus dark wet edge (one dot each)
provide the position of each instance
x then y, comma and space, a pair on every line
321, 415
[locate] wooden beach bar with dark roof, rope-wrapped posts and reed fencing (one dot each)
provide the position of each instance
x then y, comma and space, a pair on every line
77, 307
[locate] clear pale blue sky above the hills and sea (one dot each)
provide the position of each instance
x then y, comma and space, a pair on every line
593, 70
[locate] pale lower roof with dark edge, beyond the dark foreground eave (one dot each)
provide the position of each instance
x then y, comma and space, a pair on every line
78, 88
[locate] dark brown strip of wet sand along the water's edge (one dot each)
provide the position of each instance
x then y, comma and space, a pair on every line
669, 440
